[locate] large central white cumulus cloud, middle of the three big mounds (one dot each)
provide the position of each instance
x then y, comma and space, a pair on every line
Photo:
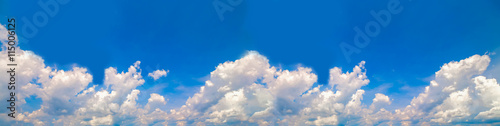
250, 90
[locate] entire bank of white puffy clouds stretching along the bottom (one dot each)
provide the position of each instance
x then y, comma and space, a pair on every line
249, 91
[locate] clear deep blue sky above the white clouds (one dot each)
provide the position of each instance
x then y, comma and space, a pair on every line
188, 39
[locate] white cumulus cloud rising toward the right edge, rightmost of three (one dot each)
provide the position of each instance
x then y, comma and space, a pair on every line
457, 95
